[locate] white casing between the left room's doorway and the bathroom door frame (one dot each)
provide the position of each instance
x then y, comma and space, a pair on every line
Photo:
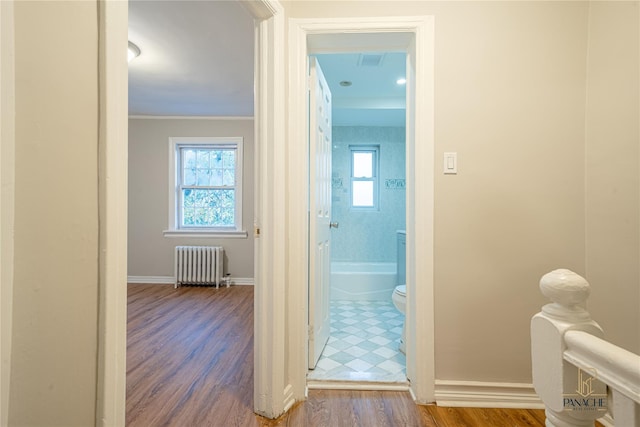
272, 394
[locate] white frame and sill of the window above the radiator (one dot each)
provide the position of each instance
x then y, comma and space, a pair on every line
175, 186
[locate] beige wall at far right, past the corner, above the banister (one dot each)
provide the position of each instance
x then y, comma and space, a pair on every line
613, 170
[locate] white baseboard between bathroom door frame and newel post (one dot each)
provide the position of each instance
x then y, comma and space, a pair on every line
474, 394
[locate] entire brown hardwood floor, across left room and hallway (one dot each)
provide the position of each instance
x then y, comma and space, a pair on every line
190, 363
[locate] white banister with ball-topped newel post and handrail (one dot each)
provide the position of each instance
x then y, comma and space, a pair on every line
573, 365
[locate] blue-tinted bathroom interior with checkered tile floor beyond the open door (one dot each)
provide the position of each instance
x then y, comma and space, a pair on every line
369, 204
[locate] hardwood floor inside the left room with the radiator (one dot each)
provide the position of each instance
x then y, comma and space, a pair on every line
189, 356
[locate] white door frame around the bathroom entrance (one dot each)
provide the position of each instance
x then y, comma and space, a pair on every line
414, 35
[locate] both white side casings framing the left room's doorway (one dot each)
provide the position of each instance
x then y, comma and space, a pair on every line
269, 332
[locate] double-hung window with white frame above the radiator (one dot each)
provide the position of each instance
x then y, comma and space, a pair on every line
206, 186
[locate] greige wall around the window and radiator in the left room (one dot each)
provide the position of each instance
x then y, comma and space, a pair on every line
150, 253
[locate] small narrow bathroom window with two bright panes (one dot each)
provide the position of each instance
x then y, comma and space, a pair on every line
364, 177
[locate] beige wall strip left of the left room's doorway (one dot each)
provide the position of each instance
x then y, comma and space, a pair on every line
55, 286
